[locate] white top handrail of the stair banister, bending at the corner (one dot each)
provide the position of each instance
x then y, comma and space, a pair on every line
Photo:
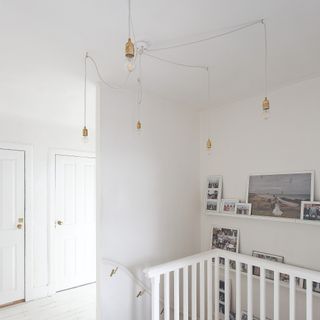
266, 264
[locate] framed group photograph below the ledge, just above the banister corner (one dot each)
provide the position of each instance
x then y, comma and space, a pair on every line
225, 238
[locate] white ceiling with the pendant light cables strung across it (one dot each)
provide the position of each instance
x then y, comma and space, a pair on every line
43, 43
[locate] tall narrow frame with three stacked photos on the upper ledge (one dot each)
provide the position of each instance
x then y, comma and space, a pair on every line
213, 194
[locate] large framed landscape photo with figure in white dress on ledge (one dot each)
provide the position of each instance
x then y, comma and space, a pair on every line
280, 195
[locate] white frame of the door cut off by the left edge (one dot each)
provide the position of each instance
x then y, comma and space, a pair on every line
28, 219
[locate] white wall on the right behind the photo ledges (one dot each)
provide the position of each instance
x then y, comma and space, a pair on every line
244, 143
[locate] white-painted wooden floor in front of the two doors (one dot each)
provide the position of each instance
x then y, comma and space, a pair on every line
74, 304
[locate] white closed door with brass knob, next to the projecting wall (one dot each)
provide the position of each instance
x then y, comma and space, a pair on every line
75, 221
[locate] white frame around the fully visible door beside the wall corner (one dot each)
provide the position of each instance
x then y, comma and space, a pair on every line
51, 208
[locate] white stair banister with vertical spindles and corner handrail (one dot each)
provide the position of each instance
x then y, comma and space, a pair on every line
208, 292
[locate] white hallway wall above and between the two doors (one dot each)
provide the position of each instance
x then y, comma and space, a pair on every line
42, 136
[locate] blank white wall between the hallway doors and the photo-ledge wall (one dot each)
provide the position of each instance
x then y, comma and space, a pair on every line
149, 183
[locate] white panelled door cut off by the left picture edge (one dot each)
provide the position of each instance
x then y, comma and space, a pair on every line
11, 226
